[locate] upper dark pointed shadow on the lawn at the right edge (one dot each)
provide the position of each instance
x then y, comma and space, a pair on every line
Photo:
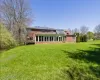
91, 55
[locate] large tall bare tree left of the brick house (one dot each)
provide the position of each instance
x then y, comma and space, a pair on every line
16, 16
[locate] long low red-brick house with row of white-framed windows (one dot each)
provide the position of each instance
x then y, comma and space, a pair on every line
38, 35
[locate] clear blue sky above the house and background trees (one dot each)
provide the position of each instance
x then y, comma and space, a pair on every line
64, 14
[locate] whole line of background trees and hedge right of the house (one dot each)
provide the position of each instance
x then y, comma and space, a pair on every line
83, 34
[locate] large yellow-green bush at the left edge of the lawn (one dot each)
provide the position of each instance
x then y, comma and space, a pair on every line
6, 39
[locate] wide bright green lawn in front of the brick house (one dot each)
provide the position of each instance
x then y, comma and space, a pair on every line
75, 61
